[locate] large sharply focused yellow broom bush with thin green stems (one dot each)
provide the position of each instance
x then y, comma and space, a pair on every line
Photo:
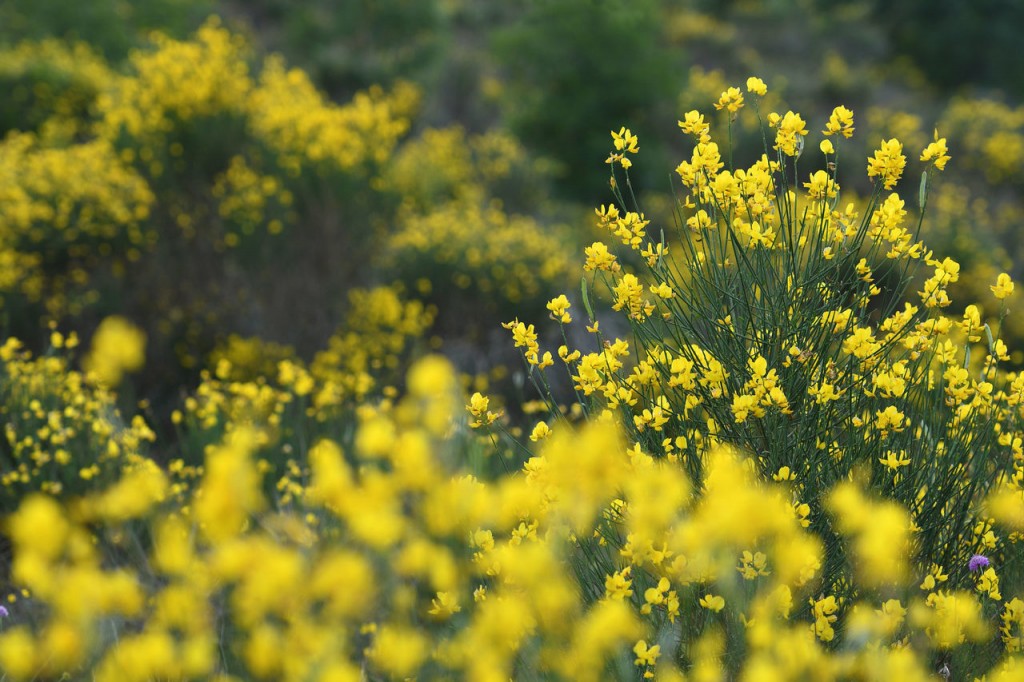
781, 321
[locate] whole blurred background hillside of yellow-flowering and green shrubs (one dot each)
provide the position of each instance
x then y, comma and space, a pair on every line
238, 179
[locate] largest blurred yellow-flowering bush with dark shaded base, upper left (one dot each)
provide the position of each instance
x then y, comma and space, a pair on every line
168, 191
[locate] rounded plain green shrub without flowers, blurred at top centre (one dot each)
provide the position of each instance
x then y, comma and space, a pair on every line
577, 68
